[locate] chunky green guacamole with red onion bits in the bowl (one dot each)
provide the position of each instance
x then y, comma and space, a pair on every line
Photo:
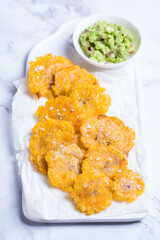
107, 42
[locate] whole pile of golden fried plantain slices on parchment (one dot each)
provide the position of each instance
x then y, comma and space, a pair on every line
82, 151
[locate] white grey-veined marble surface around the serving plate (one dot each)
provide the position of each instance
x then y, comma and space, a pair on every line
22, 24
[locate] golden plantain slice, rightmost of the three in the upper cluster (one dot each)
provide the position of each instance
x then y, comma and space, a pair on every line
92, 100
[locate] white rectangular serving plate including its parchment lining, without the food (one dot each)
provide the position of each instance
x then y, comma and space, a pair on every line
43, 203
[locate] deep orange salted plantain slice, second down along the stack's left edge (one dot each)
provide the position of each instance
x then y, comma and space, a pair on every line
61, 108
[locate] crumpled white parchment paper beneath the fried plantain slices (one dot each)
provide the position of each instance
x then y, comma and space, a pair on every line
43, 202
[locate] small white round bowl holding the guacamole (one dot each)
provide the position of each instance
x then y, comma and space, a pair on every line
109, 19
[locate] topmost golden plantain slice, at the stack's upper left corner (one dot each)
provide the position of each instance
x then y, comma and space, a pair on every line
42, 74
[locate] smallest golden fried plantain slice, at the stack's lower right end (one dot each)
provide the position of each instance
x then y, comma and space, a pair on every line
127, 186
